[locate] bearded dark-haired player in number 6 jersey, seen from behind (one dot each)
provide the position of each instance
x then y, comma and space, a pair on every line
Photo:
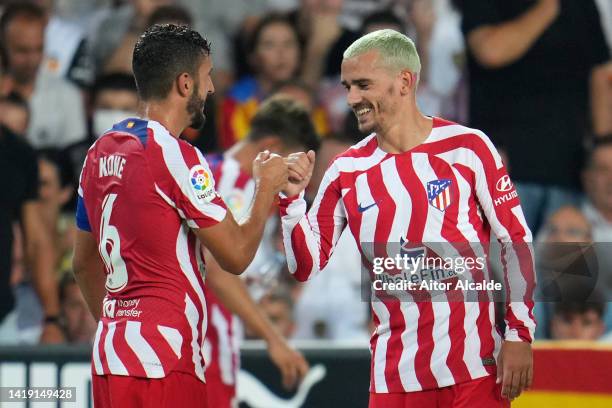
147, 205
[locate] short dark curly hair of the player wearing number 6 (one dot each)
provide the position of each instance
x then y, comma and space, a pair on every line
162, 53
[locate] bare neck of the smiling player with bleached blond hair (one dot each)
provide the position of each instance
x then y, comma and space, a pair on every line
405, 131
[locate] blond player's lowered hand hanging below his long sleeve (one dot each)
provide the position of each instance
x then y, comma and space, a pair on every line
515, 368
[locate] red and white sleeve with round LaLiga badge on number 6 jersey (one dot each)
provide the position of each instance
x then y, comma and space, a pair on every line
184, 180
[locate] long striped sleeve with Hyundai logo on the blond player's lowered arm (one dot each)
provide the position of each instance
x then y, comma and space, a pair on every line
501, 206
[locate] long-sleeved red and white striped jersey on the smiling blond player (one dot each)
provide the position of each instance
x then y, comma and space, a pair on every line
442, 191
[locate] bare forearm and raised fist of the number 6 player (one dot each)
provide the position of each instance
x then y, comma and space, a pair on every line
234, 244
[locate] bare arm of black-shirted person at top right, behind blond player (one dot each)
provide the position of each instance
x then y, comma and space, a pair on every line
498, 45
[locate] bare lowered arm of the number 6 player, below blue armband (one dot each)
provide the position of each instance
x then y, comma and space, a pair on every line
89, 271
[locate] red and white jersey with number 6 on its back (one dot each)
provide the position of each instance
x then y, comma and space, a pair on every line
141, 192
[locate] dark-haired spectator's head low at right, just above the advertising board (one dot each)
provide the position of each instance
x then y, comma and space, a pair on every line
578, 321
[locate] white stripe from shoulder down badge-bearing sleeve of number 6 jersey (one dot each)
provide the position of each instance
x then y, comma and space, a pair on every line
175, 163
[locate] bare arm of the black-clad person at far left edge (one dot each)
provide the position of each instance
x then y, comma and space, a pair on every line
41, 259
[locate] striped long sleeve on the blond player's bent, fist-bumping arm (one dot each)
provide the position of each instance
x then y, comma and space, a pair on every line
309, 239
